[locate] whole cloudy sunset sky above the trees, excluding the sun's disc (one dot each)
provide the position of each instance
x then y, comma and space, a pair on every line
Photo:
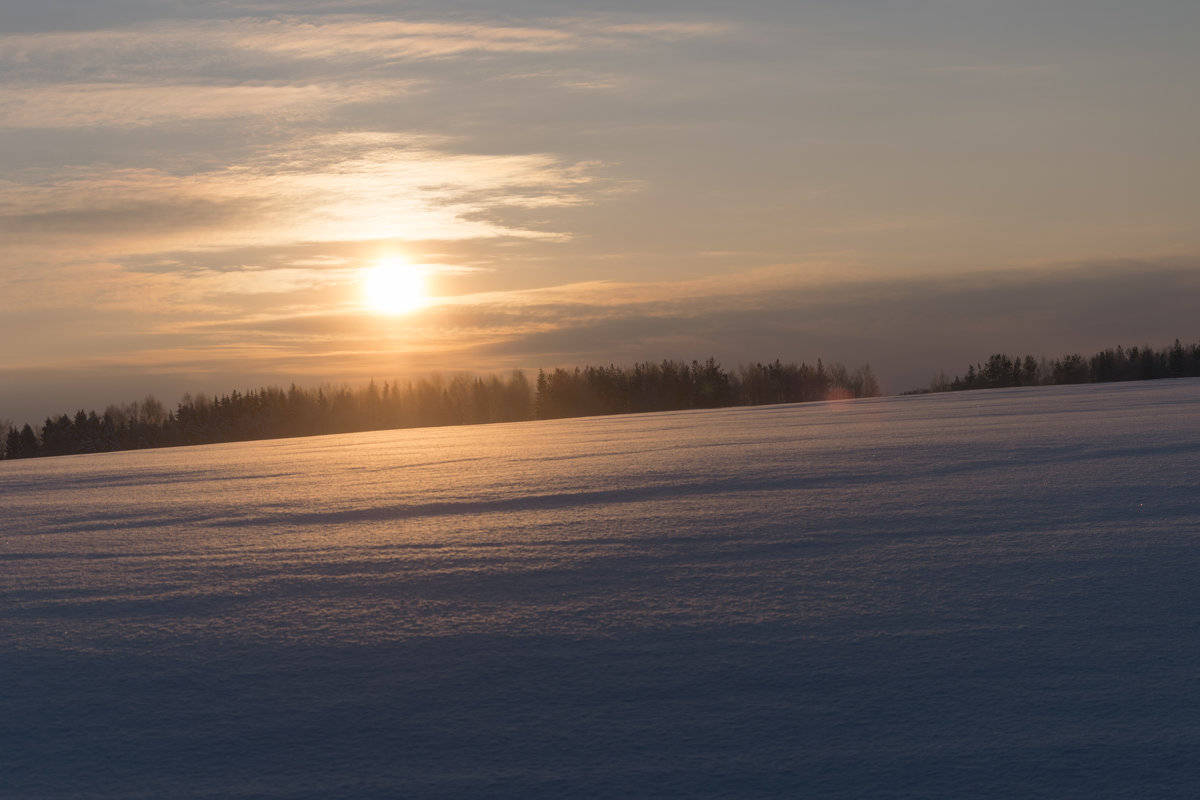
193, 195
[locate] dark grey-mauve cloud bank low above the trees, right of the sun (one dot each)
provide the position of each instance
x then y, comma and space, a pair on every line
908, 329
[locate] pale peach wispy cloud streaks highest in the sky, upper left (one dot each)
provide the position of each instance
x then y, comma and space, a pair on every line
283, 69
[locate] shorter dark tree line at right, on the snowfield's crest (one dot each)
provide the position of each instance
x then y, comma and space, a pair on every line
1112, 365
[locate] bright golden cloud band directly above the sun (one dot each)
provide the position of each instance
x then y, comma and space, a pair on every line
350, 188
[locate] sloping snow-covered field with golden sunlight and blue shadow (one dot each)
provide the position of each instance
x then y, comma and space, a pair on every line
973, 596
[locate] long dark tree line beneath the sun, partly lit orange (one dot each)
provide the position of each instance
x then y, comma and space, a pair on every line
273, 413
